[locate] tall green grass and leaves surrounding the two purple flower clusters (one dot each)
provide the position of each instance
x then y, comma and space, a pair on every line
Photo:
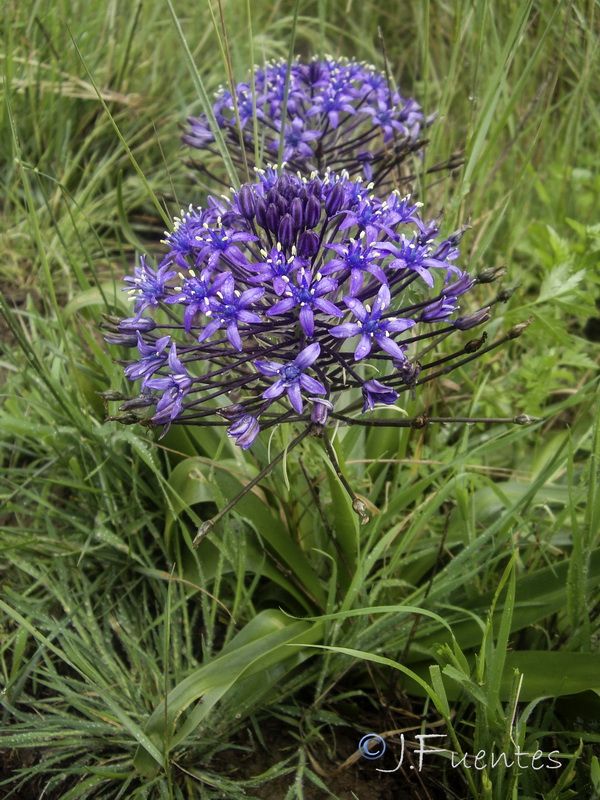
130, 660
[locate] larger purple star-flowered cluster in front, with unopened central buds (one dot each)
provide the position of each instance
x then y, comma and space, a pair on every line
288, 299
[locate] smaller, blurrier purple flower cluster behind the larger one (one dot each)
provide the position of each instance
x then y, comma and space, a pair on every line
340, 114
